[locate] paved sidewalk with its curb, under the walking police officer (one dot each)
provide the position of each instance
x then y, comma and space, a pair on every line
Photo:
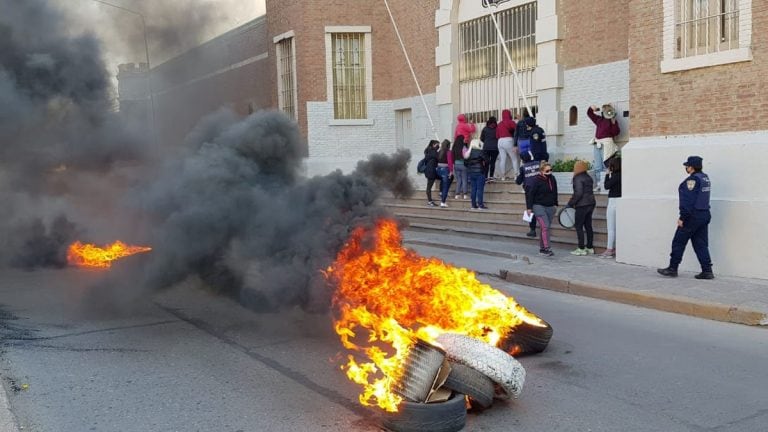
729, 299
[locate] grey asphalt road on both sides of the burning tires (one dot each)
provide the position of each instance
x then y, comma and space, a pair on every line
188, 360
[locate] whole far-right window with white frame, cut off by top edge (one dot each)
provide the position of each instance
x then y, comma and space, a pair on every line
701, 33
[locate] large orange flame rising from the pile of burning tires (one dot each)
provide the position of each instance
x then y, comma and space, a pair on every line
388, 296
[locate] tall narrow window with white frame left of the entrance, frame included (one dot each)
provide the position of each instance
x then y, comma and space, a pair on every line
349, 71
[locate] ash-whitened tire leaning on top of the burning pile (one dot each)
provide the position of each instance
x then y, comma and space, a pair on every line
492, 362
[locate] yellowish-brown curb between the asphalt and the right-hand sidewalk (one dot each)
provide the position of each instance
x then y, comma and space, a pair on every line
667, 303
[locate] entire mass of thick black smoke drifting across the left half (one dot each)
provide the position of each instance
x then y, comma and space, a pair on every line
231, 207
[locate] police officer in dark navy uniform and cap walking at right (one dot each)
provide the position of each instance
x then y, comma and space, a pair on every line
693, 223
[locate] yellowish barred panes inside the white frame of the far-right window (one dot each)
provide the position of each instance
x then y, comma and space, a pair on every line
706, 26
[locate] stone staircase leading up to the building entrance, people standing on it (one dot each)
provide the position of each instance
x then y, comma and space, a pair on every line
503, 219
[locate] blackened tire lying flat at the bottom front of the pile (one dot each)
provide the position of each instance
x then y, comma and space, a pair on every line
448, 416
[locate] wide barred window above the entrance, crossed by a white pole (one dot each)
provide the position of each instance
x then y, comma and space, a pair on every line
481, 53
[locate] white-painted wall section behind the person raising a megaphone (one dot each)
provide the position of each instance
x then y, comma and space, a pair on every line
592, 85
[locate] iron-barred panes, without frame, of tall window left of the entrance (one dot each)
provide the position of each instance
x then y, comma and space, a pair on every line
348, 59
